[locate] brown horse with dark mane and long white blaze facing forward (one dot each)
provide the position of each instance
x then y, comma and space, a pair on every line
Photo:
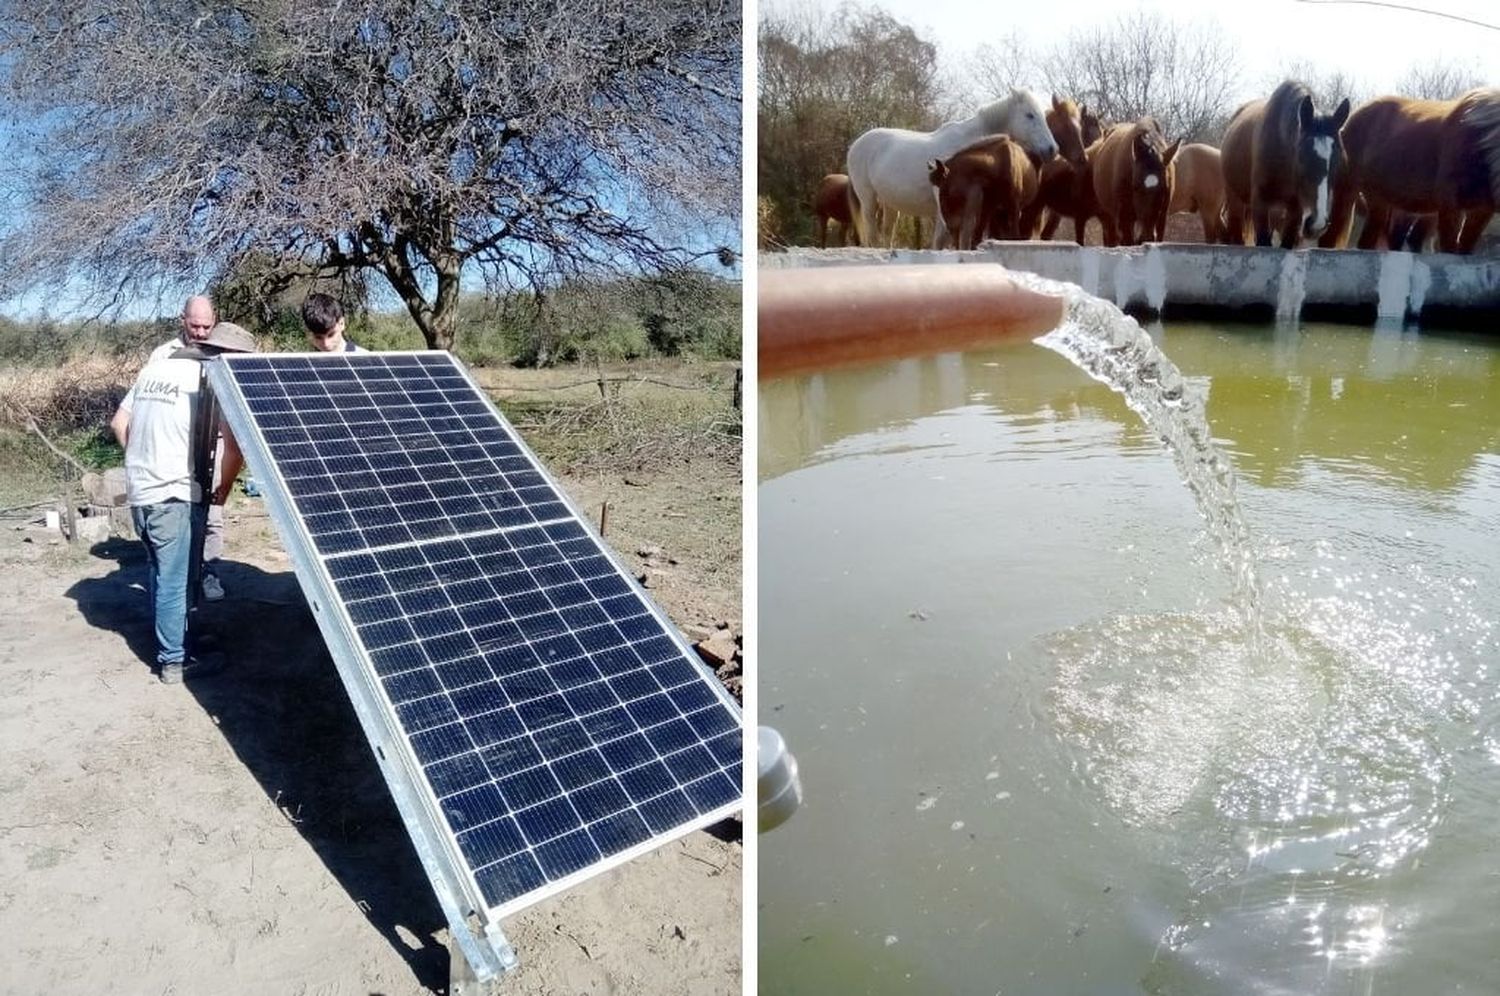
1280, 152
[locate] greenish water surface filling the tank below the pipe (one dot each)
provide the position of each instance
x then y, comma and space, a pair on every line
1037, 751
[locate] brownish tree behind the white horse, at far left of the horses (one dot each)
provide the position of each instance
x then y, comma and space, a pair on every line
827, 79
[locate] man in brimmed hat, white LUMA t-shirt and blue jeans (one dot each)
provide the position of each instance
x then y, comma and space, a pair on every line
155, 428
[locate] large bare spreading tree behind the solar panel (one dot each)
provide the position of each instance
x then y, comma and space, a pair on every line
529, 142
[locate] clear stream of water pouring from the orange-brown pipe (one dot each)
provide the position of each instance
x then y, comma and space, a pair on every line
1115, 350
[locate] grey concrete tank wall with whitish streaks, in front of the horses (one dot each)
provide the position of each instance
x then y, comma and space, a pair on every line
1249, 283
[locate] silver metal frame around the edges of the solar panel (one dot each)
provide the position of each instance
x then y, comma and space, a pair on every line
472, 922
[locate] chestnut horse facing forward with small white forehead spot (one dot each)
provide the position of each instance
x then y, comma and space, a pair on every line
1132, 182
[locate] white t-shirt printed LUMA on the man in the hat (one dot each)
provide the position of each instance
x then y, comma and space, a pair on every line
158, 454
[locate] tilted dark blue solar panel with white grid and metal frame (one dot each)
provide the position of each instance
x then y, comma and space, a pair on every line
538, 718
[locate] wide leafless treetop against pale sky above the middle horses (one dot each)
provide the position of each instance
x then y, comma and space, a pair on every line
1144, 64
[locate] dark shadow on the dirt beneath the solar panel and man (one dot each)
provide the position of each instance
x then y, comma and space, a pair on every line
283, 709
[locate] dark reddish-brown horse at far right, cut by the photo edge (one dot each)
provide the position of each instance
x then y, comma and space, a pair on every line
1423, 158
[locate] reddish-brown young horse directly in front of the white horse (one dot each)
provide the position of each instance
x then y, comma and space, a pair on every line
983, 190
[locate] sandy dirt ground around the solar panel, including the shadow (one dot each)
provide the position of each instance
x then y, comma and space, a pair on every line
236, 836
